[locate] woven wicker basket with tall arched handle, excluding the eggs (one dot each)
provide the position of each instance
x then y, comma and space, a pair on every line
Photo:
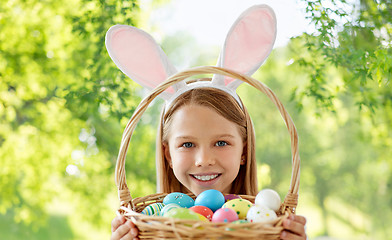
153, 227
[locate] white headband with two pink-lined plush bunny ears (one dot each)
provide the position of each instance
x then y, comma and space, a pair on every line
249, 42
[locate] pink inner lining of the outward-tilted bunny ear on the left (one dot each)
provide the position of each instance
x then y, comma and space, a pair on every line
139, 57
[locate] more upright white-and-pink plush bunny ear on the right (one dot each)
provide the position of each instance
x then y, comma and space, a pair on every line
248, 43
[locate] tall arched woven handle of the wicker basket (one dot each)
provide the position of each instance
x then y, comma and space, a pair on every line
290, 201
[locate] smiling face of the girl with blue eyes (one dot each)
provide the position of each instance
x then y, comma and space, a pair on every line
204, 149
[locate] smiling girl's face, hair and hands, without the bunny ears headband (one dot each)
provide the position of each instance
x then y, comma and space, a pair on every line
206, 141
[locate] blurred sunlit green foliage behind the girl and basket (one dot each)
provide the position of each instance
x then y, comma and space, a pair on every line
64, 105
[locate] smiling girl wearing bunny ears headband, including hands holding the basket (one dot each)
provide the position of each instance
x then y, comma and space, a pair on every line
206, 137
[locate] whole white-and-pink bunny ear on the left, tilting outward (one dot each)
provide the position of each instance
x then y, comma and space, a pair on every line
137, 55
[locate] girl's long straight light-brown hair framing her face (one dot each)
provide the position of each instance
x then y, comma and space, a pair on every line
225, 105
